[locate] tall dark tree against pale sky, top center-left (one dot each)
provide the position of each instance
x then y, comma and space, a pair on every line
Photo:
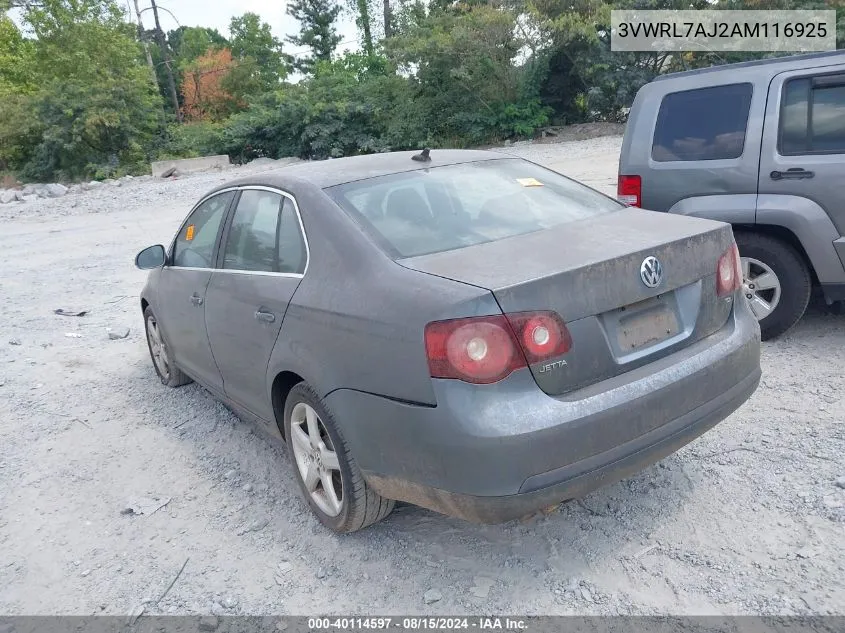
317, 20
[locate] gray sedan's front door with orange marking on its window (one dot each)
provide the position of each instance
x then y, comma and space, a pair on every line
182, 289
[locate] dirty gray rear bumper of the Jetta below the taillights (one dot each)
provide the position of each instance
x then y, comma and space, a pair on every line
501, 451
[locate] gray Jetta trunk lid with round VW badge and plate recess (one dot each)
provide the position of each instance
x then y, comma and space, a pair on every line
591, 273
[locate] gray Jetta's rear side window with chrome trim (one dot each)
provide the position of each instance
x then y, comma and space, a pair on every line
265, 235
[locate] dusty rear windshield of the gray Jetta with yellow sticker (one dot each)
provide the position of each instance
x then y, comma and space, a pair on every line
445, 208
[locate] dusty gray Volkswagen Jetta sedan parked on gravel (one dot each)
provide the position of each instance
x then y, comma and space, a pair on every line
461, 330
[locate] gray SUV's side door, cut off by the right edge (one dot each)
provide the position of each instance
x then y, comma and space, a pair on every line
805, 155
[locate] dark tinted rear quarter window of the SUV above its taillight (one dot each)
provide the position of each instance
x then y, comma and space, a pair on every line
703, 124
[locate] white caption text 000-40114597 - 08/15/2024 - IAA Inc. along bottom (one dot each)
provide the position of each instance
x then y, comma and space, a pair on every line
417, 623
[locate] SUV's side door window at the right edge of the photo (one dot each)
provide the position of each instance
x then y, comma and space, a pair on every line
813, 116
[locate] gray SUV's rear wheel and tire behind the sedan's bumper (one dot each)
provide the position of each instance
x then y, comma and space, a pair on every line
759, 252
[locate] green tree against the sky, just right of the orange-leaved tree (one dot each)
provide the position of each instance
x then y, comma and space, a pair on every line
259, 52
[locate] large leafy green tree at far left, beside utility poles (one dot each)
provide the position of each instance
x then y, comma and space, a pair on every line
95, 109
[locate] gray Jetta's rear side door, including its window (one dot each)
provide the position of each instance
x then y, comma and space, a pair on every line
263, 258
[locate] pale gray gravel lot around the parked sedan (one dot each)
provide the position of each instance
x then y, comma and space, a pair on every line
748, 519
